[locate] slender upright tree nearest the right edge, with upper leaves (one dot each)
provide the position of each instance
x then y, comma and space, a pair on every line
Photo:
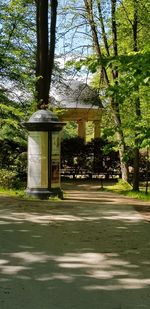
134, 16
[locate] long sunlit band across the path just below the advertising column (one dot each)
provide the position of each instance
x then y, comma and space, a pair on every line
99, 212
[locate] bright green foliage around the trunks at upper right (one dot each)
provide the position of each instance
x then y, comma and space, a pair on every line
133, 80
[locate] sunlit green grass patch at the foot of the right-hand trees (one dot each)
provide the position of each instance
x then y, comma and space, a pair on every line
125, 189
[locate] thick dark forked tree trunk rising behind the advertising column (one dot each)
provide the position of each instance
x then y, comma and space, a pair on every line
45, 49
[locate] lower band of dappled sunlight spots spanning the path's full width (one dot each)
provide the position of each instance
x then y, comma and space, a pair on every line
102, 271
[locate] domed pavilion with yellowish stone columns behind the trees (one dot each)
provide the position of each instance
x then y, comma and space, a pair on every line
78, 102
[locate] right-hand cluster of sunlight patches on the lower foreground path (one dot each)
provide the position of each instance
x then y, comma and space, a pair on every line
105, 267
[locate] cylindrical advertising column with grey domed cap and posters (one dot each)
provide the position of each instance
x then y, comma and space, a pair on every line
43, 178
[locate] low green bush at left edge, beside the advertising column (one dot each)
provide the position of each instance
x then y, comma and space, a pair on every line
8, 179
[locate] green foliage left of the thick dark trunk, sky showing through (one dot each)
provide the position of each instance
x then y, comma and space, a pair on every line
17, 61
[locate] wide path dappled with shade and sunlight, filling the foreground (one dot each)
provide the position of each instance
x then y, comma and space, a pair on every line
90, 251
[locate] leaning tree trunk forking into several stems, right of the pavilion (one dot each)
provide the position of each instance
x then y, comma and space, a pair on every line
99, 47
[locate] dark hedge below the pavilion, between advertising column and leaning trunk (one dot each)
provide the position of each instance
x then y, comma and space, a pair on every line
96, 156
